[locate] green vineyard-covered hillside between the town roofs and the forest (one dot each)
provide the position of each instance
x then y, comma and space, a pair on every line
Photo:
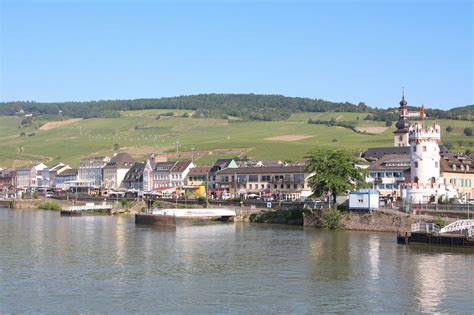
177, 137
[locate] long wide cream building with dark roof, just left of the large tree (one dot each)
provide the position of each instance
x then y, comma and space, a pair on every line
280, 182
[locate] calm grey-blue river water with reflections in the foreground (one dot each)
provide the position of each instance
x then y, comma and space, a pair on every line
106, 264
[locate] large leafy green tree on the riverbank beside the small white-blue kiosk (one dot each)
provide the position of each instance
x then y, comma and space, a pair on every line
335, 172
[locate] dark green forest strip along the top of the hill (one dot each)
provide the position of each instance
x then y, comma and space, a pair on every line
242, 106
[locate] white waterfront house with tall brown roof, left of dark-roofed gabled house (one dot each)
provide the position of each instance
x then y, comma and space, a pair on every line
116, 169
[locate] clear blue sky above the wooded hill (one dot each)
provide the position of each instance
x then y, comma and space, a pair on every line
356, 51
